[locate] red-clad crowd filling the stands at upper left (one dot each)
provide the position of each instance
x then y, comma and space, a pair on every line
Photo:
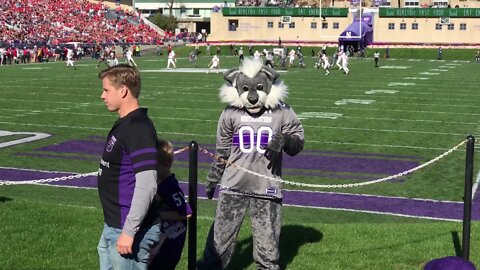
55, 22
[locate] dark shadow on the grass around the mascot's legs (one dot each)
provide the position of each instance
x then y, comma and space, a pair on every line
291, 239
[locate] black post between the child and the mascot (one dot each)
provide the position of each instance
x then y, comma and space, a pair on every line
192, 199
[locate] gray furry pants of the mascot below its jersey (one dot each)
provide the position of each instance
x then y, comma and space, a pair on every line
266, 217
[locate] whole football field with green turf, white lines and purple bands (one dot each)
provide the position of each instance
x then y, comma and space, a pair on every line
371, 124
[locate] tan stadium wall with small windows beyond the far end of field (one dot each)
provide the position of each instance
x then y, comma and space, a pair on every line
402, 28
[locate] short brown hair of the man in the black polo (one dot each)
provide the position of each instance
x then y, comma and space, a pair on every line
123, 74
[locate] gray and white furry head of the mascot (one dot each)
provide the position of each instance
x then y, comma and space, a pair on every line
253, 86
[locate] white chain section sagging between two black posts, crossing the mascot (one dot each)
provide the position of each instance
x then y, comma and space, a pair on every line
278, 179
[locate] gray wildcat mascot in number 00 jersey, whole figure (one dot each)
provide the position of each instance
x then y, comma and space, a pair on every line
253, 131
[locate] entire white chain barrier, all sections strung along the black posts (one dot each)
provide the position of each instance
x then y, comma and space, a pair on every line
277, 179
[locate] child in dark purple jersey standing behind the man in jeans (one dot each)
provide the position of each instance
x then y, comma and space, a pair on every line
174, 212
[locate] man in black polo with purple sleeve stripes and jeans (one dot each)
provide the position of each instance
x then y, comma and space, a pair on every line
130, 213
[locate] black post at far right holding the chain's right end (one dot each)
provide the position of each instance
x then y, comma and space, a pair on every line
467, 198
